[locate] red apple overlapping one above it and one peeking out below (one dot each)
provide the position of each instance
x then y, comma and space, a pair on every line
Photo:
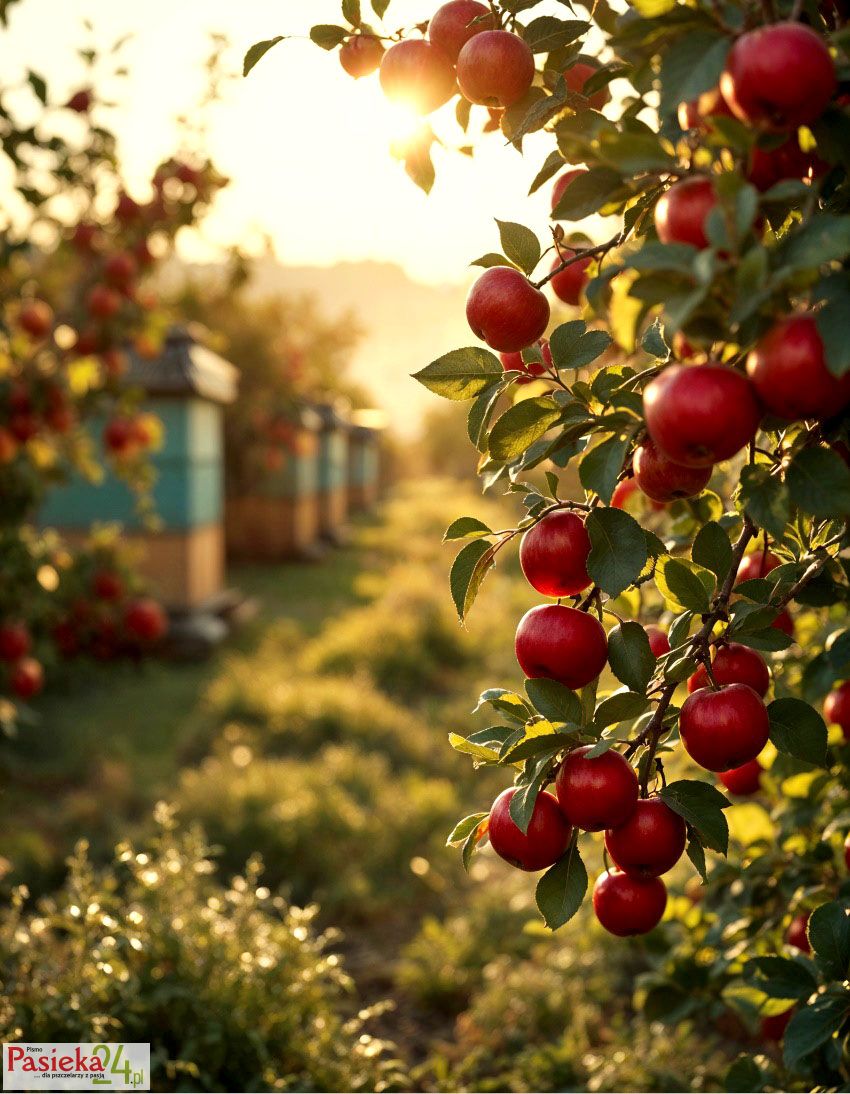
724, 729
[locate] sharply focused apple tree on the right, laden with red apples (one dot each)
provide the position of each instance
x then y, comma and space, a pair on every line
679, 450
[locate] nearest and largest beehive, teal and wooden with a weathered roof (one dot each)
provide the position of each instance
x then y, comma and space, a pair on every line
188, 388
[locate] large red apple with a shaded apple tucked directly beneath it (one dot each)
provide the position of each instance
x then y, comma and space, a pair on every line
700, 415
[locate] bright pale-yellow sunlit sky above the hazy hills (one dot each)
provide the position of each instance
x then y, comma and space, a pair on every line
307, 148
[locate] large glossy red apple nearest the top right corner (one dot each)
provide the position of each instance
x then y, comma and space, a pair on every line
781, 77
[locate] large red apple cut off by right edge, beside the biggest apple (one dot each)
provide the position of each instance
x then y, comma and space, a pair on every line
788, 370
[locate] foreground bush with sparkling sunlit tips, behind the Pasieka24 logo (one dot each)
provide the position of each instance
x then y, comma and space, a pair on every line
232, 988
